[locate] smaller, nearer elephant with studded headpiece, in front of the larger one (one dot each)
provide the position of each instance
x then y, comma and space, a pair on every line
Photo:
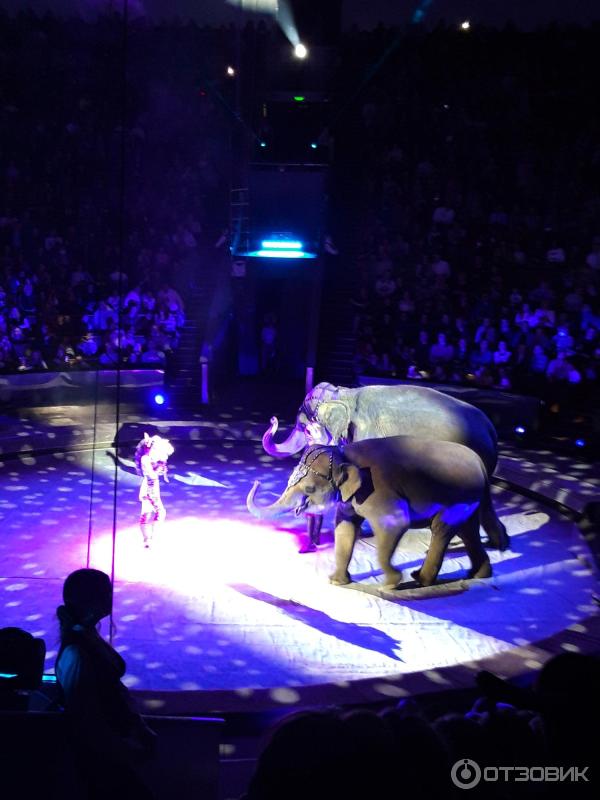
394, 483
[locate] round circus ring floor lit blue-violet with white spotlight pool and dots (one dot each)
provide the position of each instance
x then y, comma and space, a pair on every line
224, 613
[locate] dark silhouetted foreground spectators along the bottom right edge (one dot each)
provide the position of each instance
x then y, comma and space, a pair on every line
510, 735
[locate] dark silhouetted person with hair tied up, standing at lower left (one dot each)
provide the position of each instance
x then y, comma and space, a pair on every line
110, 741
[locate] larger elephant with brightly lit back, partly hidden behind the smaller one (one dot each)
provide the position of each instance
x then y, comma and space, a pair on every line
337, 415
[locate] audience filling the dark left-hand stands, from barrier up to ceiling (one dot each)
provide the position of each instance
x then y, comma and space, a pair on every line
109, 189
